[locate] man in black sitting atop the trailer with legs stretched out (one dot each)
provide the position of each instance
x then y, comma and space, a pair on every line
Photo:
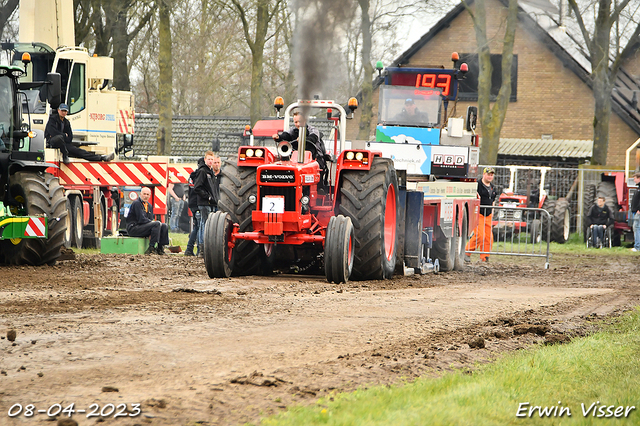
59, 135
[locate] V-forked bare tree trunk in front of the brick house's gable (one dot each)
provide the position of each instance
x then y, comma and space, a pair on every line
492, 118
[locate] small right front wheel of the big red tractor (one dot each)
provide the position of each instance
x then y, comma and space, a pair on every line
338, 249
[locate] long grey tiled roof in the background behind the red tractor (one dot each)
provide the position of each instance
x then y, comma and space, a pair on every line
193, 136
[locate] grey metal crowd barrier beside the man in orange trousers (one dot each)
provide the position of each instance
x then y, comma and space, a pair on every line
515, 231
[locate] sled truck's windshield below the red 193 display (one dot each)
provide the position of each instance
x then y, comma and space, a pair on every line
409, 106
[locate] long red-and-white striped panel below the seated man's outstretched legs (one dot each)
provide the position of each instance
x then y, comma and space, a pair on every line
113, 173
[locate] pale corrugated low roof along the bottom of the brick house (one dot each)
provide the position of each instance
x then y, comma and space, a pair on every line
546, 148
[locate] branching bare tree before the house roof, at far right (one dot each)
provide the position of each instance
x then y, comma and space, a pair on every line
605, 63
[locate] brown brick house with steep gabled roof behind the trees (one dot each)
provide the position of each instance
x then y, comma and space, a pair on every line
552, 102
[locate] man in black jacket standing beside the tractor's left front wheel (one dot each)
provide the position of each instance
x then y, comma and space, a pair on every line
207, 189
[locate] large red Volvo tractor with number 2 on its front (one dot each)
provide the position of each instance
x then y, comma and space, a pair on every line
274, 211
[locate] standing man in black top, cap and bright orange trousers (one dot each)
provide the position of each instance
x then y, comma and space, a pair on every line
482, 236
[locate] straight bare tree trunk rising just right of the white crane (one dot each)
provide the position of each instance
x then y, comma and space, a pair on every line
165, 87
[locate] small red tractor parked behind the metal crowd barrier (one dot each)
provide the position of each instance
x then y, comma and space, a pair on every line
511, 221
